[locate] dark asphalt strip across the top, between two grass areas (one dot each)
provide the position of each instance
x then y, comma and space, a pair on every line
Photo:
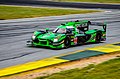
60, 4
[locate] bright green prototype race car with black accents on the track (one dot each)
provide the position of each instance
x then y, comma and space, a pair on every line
70, 33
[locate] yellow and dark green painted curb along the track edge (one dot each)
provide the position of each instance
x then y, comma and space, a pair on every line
95, 51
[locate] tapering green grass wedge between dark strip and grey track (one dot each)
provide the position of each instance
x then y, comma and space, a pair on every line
14, 12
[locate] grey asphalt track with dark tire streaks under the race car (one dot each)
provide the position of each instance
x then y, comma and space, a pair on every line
15, 33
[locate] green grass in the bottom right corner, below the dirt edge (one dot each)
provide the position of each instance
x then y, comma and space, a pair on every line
106, 70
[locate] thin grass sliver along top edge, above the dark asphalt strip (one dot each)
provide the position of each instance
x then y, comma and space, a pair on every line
98, 1
